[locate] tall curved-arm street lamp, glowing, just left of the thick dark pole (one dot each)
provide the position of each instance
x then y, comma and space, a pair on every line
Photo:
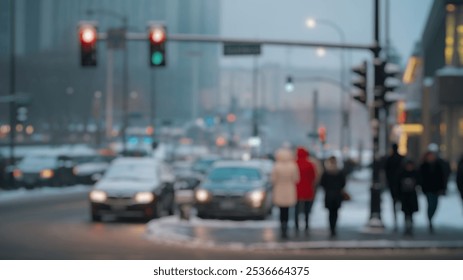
312, 23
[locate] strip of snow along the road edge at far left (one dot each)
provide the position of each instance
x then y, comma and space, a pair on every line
21, 194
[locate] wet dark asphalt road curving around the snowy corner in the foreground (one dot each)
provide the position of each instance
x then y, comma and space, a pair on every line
58, 227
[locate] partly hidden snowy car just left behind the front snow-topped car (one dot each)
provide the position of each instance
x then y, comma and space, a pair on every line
88, 170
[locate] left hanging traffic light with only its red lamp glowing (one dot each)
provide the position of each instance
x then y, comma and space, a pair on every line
88, 37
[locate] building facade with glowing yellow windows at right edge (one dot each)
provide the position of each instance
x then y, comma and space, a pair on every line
435, 72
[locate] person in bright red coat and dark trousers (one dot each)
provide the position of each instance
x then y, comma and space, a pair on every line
305, 187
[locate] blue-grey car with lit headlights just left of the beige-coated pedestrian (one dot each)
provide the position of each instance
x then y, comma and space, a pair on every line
234, 189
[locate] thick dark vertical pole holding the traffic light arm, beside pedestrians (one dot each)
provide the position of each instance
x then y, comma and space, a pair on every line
375, 222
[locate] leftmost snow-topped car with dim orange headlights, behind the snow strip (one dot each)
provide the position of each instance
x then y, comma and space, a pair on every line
38, 170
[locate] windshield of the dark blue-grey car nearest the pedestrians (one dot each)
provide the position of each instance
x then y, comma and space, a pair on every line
221, 174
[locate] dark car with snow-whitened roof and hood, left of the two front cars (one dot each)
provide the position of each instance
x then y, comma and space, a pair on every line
133, 188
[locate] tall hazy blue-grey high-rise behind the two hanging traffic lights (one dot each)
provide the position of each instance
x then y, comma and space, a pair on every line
48, 58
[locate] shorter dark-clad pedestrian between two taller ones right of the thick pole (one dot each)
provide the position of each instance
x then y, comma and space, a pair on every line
407, 182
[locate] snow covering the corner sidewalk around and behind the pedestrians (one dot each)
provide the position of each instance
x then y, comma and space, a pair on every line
354, 214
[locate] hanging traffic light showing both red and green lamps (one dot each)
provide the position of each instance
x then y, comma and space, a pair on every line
157, 40
